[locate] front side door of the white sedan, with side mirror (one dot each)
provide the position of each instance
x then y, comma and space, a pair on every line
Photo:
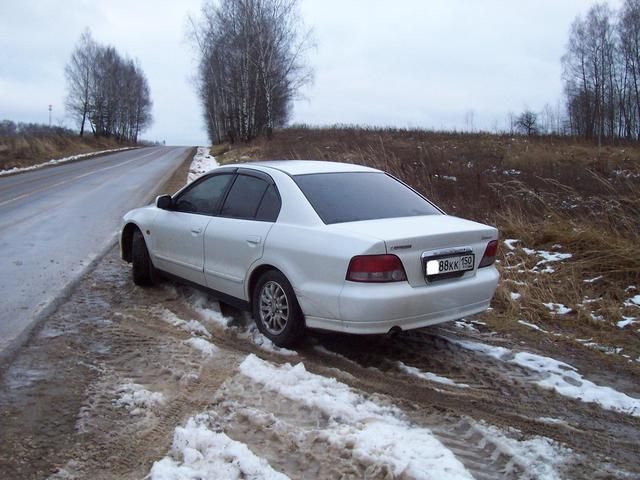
178, 234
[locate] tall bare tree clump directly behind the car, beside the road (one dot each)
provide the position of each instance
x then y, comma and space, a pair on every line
251, 66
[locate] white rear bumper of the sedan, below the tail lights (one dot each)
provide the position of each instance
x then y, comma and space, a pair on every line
377, 308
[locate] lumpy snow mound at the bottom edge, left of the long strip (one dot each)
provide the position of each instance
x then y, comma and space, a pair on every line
198, 452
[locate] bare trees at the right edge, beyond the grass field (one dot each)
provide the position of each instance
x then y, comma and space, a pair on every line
601, 73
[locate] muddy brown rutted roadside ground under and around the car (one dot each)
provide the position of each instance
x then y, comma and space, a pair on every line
59, 414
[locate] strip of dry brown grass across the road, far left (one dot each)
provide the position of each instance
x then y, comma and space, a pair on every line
24, 151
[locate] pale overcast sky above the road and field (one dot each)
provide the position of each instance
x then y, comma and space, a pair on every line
407, 63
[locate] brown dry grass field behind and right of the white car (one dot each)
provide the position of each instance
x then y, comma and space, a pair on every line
569, 210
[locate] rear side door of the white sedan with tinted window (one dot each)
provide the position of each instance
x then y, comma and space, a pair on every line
235, 238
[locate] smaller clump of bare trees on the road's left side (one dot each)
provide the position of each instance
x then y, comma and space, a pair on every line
108, 92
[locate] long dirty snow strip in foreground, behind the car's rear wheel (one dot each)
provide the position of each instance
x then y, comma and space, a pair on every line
376, 433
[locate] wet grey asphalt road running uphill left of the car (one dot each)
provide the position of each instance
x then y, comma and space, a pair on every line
55, 221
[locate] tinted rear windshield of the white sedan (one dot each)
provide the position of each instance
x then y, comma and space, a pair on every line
353, 196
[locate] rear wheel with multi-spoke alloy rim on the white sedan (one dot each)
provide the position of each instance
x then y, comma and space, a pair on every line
276, 310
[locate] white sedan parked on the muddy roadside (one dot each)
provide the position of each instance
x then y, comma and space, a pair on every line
311, 244
